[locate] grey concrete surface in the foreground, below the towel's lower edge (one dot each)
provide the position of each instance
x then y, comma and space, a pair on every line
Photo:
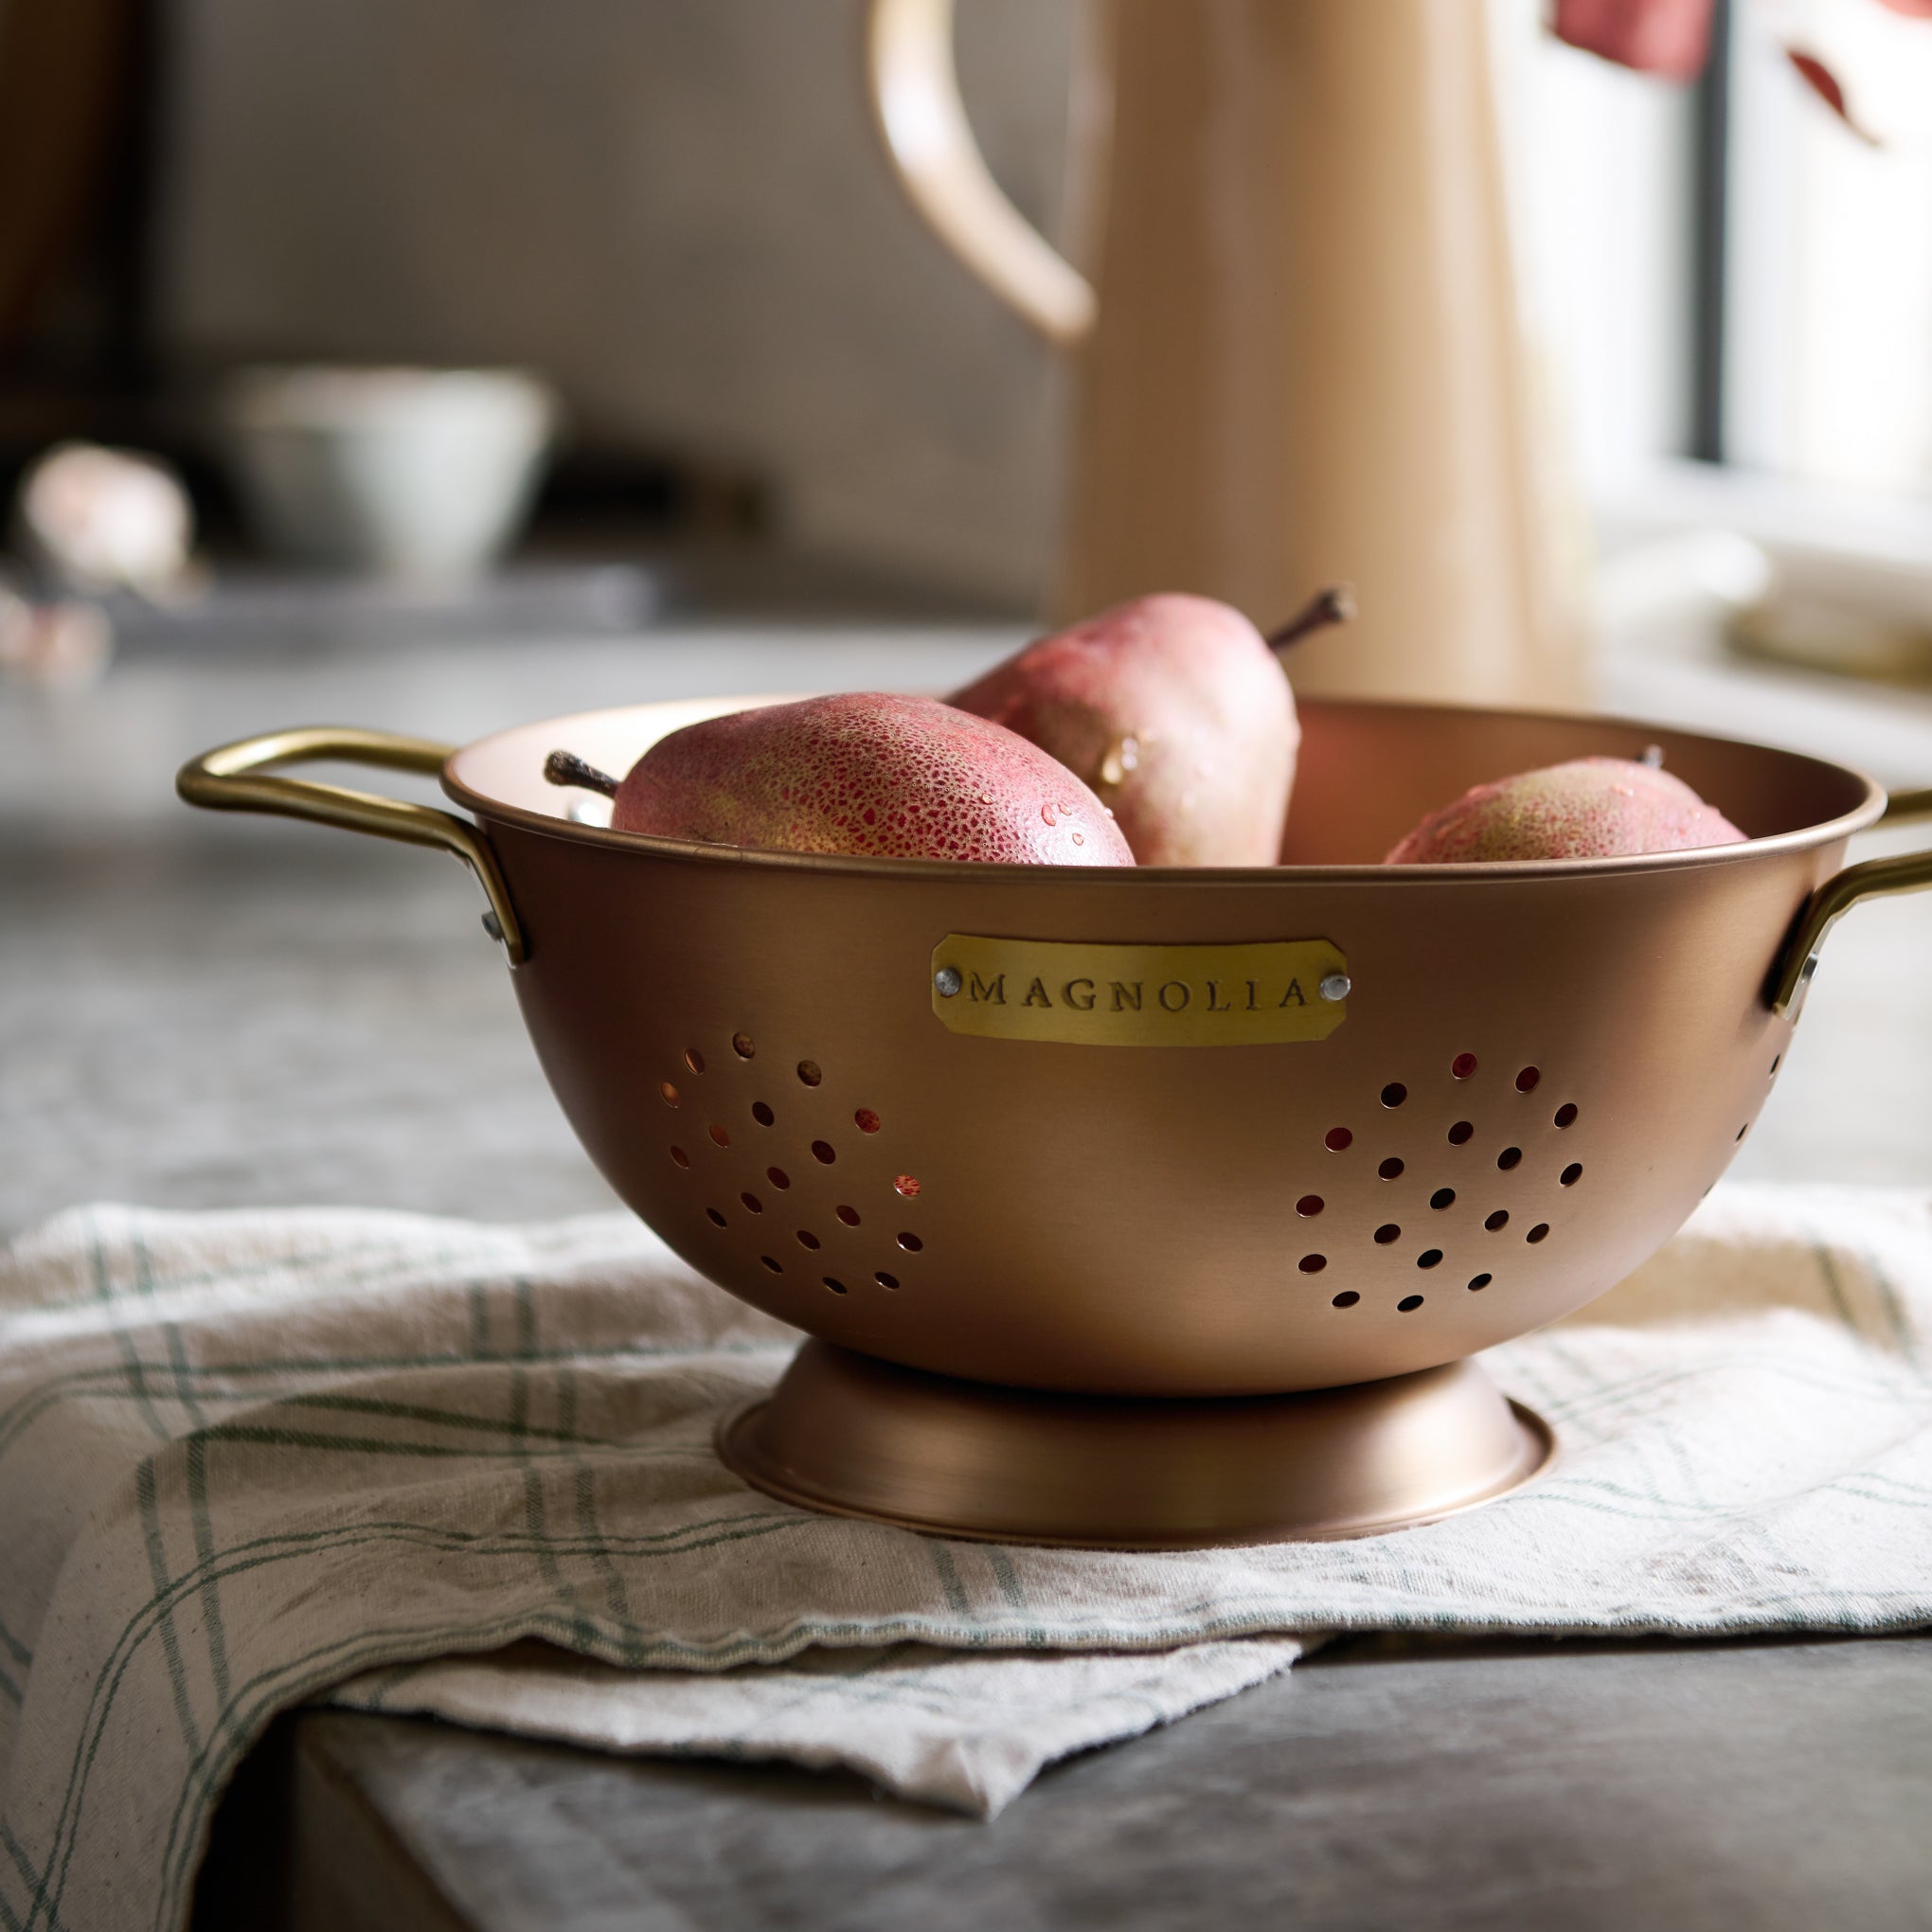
1431, 1788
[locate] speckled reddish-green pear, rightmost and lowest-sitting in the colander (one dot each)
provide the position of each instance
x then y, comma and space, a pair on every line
1589, 809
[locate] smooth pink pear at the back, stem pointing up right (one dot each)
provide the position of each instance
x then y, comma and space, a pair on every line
1176, 712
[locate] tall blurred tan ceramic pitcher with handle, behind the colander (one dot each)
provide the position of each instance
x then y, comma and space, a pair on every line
1301, 355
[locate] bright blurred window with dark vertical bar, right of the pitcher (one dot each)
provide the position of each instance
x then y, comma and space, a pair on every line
1726, 270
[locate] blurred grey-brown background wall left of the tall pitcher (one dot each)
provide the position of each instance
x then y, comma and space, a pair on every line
675, 210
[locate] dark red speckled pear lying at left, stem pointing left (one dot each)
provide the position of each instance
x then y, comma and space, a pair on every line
865, 774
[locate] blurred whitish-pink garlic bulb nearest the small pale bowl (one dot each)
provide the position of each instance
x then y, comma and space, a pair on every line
99, 519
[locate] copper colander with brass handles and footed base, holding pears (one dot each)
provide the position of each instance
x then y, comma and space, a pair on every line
1069, 1274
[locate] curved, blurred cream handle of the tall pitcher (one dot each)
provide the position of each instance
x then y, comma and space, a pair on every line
917, 103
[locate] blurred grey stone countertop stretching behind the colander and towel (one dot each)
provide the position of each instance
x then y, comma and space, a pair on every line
213, 1011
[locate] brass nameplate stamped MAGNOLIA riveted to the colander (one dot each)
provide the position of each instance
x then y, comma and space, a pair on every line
1100, 996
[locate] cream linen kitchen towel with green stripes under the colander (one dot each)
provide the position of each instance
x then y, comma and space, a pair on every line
252, 1460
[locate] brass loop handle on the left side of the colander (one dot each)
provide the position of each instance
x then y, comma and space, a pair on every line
233, 778
